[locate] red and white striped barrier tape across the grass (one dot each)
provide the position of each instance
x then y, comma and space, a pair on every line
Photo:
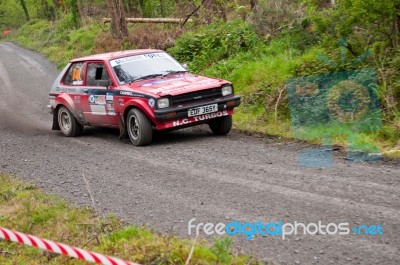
59, 248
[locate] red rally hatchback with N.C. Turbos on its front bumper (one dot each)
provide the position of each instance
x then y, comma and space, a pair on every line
138, 91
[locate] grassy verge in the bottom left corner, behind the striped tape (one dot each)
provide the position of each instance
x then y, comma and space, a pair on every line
26, 209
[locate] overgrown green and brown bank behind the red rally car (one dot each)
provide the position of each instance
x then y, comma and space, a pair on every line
258, 45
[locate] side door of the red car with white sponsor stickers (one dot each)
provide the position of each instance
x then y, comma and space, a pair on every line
98, 99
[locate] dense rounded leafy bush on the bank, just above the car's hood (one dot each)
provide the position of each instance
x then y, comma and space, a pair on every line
214, 42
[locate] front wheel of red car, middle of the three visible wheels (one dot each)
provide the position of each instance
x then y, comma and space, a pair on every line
139, 128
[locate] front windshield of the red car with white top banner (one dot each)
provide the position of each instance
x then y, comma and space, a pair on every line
144, 66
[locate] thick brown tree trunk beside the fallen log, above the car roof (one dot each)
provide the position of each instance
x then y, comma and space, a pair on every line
119, 27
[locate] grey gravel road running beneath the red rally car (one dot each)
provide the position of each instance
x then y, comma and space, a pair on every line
192, 174
